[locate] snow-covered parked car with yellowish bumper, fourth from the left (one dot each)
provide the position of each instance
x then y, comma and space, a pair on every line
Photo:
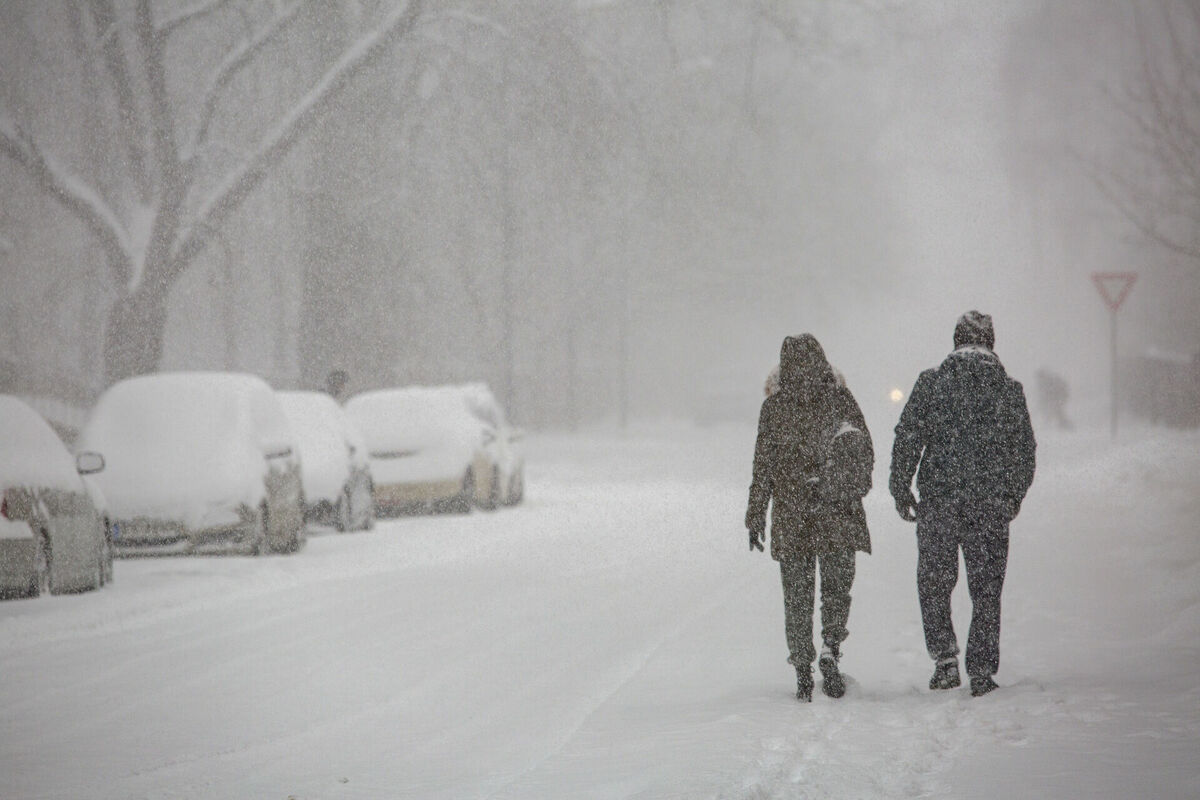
428, 450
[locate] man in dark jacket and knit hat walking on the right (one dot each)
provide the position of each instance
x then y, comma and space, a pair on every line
968, 425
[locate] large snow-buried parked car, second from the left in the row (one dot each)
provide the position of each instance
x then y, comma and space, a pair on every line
197, 461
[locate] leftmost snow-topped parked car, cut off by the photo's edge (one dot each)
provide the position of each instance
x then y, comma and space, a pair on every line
52, 537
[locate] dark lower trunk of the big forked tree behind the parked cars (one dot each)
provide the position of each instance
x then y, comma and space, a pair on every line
135, 334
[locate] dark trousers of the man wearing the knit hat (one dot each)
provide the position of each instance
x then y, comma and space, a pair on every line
943, 528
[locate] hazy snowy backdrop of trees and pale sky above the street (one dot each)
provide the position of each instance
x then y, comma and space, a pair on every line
609, 212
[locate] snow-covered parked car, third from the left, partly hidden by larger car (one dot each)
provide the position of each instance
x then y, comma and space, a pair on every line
334, 462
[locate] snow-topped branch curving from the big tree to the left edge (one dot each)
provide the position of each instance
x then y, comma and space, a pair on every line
80, 199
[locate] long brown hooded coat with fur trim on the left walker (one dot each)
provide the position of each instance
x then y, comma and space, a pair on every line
813, 460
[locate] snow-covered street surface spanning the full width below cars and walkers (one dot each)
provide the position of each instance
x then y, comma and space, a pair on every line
614, 639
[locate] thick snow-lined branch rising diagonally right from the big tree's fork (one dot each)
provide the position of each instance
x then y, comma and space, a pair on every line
272, 149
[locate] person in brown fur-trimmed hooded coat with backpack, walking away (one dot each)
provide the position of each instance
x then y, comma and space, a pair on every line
813, 465
